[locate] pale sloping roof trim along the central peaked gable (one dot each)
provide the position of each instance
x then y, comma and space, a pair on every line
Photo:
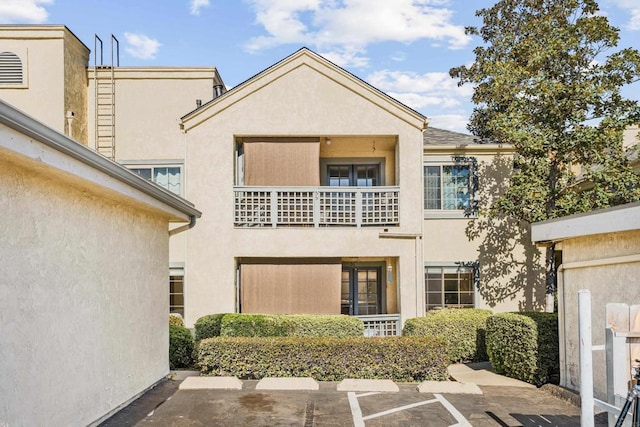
286, 65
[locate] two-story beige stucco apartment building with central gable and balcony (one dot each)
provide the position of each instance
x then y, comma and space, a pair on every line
320, 193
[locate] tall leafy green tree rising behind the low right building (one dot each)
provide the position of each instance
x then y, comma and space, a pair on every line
545, 85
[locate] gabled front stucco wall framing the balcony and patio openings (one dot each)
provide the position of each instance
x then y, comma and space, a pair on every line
304, 100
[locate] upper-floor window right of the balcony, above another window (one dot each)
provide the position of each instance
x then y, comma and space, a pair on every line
447, 187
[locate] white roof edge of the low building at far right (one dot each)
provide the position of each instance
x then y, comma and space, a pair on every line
611, 220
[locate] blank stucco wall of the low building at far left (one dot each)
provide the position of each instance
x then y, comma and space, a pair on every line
83, 300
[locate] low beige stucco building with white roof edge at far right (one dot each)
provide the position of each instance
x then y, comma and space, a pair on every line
601, 254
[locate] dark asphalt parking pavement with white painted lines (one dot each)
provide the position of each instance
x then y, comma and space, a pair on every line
497, 406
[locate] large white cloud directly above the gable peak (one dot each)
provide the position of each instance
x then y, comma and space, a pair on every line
347, 27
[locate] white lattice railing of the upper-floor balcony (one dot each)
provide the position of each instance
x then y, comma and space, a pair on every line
316, 206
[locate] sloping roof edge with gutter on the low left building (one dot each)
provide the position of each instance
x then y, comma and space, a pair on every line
66, 148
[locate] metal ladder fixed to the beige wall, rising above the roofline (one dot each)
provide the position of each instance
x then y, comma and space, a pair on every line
105, 99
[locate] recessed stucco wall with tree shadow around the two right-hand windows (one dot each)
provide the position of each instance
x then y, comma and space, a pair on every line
511, 268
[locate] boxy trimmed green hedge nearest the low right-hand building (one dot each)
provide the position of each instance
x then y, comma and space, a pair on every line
525, 346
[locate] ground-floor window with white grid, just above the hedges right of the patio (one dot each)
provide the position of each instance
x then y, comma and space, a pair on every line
449, 287
